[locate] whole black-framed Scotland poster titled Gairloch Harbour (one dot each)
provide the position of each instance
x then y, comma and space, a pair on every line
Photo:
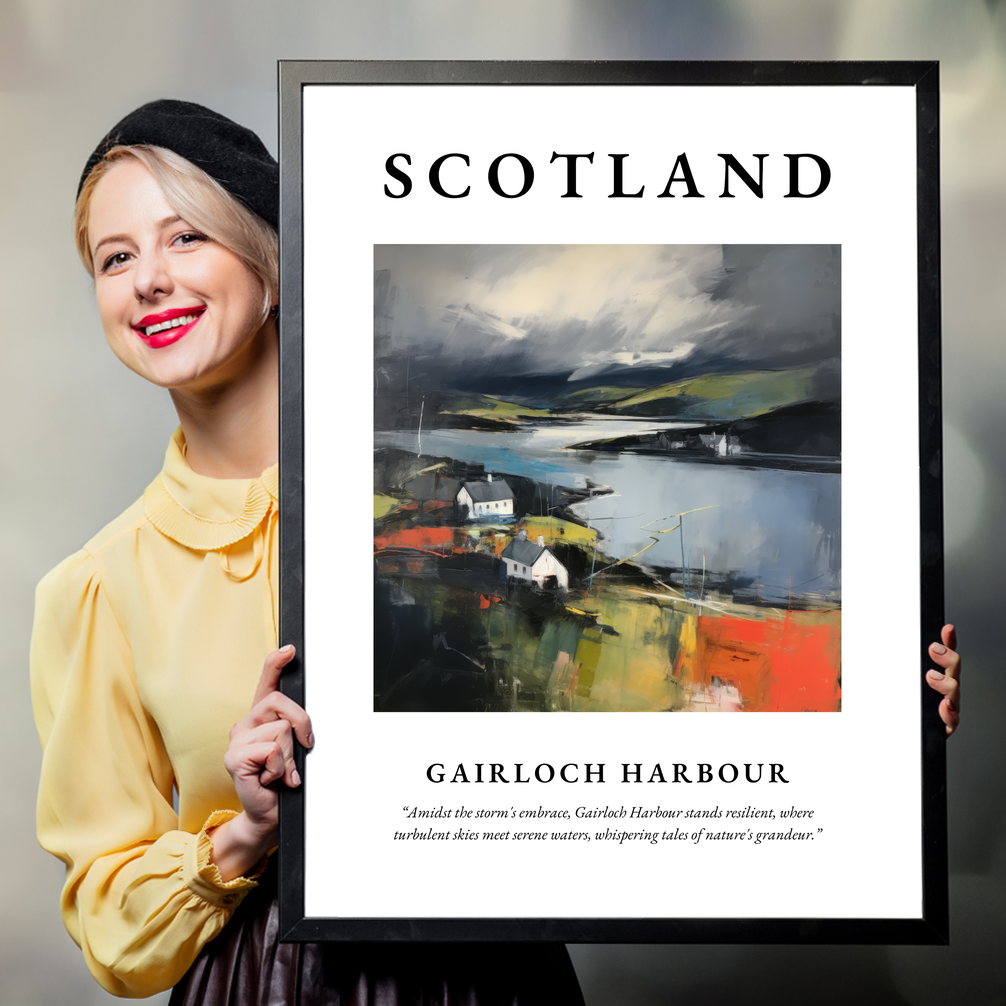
634, 372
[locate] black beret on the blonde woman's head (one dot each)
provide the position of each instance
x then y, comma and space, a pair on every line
229, 153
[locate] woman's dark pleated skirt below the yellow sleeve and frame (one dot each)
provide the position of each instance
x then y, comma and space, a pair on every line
248, 966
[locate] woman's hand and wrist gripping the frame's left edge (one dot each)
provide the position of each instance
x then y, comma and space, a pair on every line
260, 754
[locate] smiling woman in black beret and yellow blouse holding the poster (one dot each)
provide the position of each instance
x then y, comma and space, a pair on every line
148, 643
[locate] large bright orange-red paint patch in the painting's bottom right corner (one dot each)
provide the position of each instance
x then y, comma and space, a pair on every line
777, 664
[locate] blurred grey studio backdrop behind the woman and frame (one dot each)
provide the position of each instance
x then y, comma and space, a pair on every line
82, 437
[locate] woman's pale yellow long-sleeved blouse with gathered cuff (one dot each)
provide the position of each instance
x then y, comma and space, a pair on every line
147, 647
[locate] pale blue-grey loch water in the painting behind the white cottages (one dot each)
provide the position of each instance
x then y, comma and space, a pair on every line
778, 528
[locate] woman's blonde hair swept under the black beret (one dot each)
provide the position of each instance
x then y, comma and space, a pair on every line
201, 202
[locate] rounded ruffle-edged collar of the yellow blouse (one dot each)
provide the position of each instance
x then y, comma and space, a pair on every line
204, 514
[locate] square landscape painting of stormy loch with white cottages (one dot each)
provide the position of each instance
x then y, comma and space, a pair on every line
607, 478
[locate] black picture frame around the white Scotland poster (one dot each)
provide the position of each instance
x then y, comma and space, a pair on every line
933, 925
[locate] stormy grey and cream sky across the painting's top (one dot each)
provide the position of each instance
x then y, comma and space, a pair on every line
460, 315
